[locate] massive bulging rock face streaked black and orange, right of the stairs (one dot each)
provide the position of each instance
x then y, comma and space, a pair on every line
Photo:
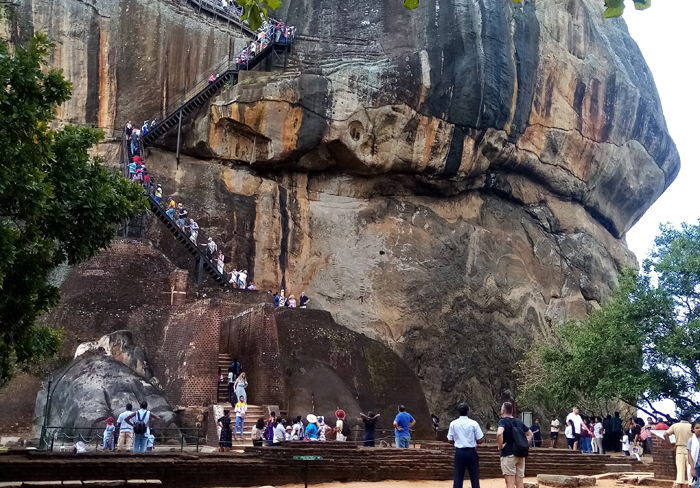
447, 181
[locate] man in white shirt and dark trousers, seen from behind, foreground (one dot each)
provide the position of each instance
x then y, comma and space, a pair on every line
465, 434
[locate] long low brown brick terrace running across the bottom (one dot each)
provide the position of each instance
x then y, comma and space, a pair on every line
275, 465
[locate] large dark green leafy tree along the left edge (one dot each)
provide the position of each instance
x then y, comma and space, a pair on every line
57, 204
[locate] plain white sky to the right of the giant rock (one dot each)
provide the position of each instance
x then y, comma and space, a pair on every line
667, 36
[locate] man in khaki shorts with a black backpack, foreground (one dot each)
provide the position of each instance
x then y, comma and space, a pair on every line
513, 439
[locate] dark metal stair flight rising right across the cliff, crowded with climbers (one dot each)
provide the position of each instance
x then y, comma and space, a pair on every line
181, 109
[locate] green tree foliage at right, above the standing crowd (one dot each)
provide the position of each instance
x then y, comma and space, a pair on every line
640, 347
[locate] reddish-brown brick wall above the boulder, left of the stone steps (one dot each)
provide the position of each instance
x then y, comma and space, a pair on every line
129, 287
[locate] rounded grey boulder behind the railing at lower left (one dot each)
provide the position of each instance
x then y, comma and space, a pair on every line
96, 386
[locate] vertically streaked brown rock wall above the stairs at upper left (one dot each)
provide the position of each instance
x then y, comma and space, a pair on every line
127, 59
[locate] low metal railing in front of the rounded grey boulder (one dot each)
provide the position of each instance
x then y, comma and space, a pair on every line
94, 435
